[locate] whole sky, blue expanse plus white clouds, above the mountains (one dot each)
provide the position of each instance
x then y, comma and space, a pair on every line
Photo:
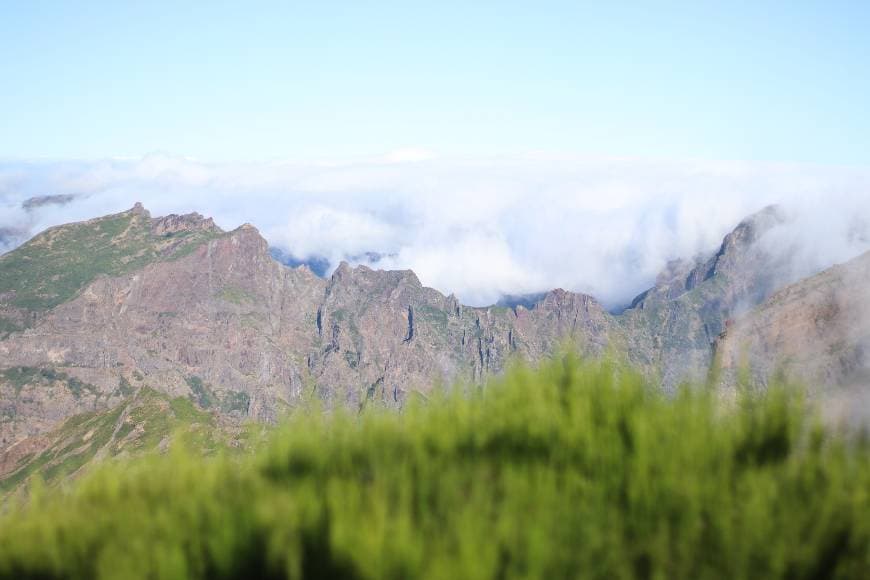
492, 147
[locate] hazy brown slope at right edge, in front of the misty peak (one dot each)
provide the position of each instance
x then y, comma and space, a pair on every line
816, 331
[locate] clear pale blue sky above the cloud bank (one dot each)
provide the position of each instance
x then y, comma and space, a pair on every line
245, 81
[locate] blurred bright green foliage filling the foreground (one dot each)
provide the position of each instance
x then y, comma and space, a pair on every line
578, 469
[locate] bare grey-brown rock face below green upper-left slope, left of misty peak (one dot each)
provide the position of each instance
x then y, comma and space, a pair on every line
229, 326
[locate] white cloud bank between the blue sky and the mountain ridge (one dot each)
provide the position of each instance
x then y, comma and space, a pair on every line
479, 228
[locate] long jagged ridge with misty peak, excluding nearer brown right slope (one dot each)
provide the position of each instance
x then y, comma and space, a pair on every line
94, 312
